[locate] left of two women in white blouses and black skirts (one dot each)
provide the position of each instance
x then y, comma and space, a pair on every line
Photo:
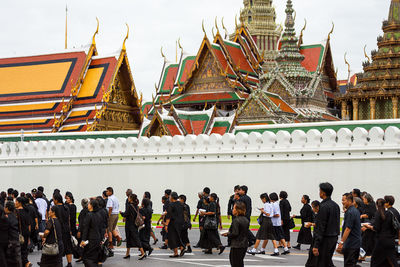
266, 231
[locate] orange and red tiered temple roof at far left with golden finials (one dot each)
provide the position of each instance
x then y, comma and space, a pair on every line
67, 91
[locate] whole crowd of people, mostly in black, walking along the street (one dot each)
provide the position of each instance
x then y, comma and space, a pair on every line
31, 221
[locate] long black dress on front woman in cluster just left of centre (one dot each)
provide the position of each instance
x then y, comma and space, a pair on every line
175, 226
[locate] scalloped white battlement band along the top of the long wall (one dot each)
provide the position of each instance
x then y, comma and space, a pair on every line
299, 145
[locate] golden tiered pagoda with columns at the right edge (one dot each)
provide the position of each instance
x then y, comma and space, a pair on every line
377, 92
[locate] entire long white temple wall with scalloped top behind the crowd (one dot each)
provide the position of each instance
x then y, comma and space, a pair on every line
296, 162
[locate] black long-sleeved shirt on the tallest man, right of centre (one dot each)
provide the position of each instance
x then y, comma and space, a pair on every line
327, 221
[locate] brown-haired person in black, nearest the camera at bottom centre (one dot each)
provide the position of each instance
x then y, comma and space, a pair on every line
238, 235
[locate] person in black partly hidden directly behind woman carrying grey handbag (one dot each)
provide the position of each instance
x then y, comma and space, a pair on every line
62, 213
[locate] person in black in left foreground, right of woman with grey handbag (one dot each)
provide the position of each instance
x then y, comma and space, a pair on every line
91, 235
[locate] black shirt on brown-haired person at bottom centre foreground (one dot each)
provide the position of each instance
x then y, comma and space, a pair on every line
238, 232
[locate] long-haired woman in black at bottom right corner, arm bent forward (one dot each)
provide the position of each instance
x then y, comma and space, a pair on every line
384, 253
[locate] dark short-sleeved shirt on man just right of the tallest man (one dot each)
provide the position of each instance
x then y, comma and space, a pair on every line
353, 222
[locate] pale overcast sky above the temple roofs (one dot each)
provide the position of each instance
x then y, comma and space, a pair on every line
38, 27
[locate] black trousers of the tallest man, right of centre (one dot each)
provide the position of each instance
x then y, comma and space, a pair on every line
326, 250
